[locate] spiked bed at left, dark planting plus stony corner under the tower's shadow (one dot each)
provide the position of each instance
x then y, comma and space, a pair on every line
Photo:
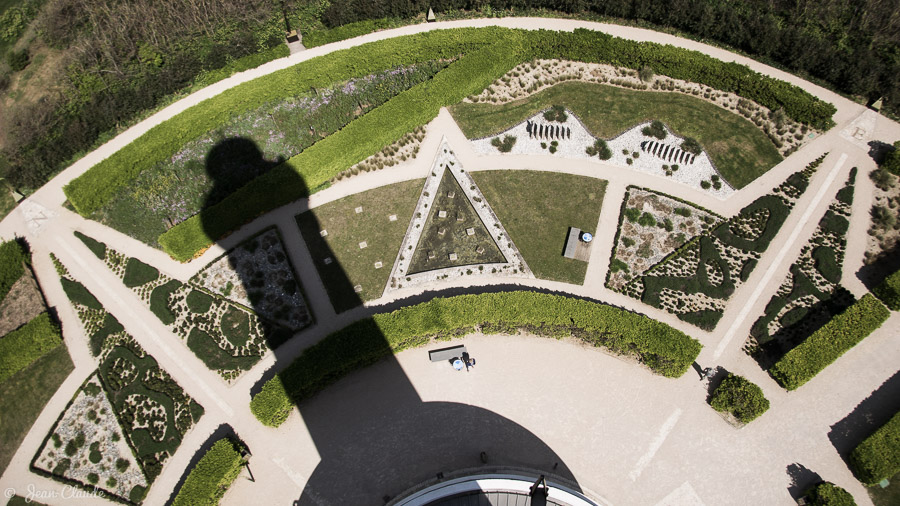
227, 336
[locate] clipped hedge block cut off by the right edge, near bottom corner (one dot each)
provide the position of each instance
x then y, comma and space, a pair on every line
878, 456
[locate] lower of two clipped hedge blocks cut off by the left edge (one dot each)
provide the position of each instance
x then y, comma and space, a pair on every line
31, 341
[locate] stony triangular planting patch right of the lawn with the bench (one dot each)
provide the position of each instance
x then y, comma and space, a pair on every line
651, 226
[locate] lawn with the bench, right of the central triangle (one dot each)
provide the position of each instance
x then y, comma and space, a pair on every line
537, 209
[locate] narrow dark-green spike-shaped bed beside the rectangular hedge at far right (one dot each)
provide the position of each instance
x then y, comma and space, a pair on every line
811, 294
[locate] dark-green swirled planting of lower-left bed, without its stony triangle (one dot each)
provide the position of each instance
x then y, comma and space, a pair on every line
126, 370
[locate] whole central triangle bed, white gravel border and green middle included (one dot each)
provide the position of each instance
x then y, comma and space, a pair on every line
453, 231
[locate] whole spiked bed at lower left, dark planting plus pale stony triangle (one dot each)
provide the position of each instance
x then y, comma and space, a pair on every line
129, 395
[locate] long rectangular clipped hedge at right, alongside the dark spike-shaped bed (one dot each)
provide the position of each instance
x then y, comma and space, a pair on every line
831, 341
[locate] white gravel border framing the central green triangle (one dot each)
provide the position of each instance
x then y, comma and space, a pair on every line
515, 265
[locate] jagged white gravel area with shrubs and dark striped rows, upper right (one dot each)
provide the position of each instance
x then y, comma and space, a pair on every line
577, 139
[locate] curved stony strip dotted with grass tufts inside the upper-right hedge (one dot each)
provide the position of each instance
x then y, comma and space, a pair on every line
532, 77
